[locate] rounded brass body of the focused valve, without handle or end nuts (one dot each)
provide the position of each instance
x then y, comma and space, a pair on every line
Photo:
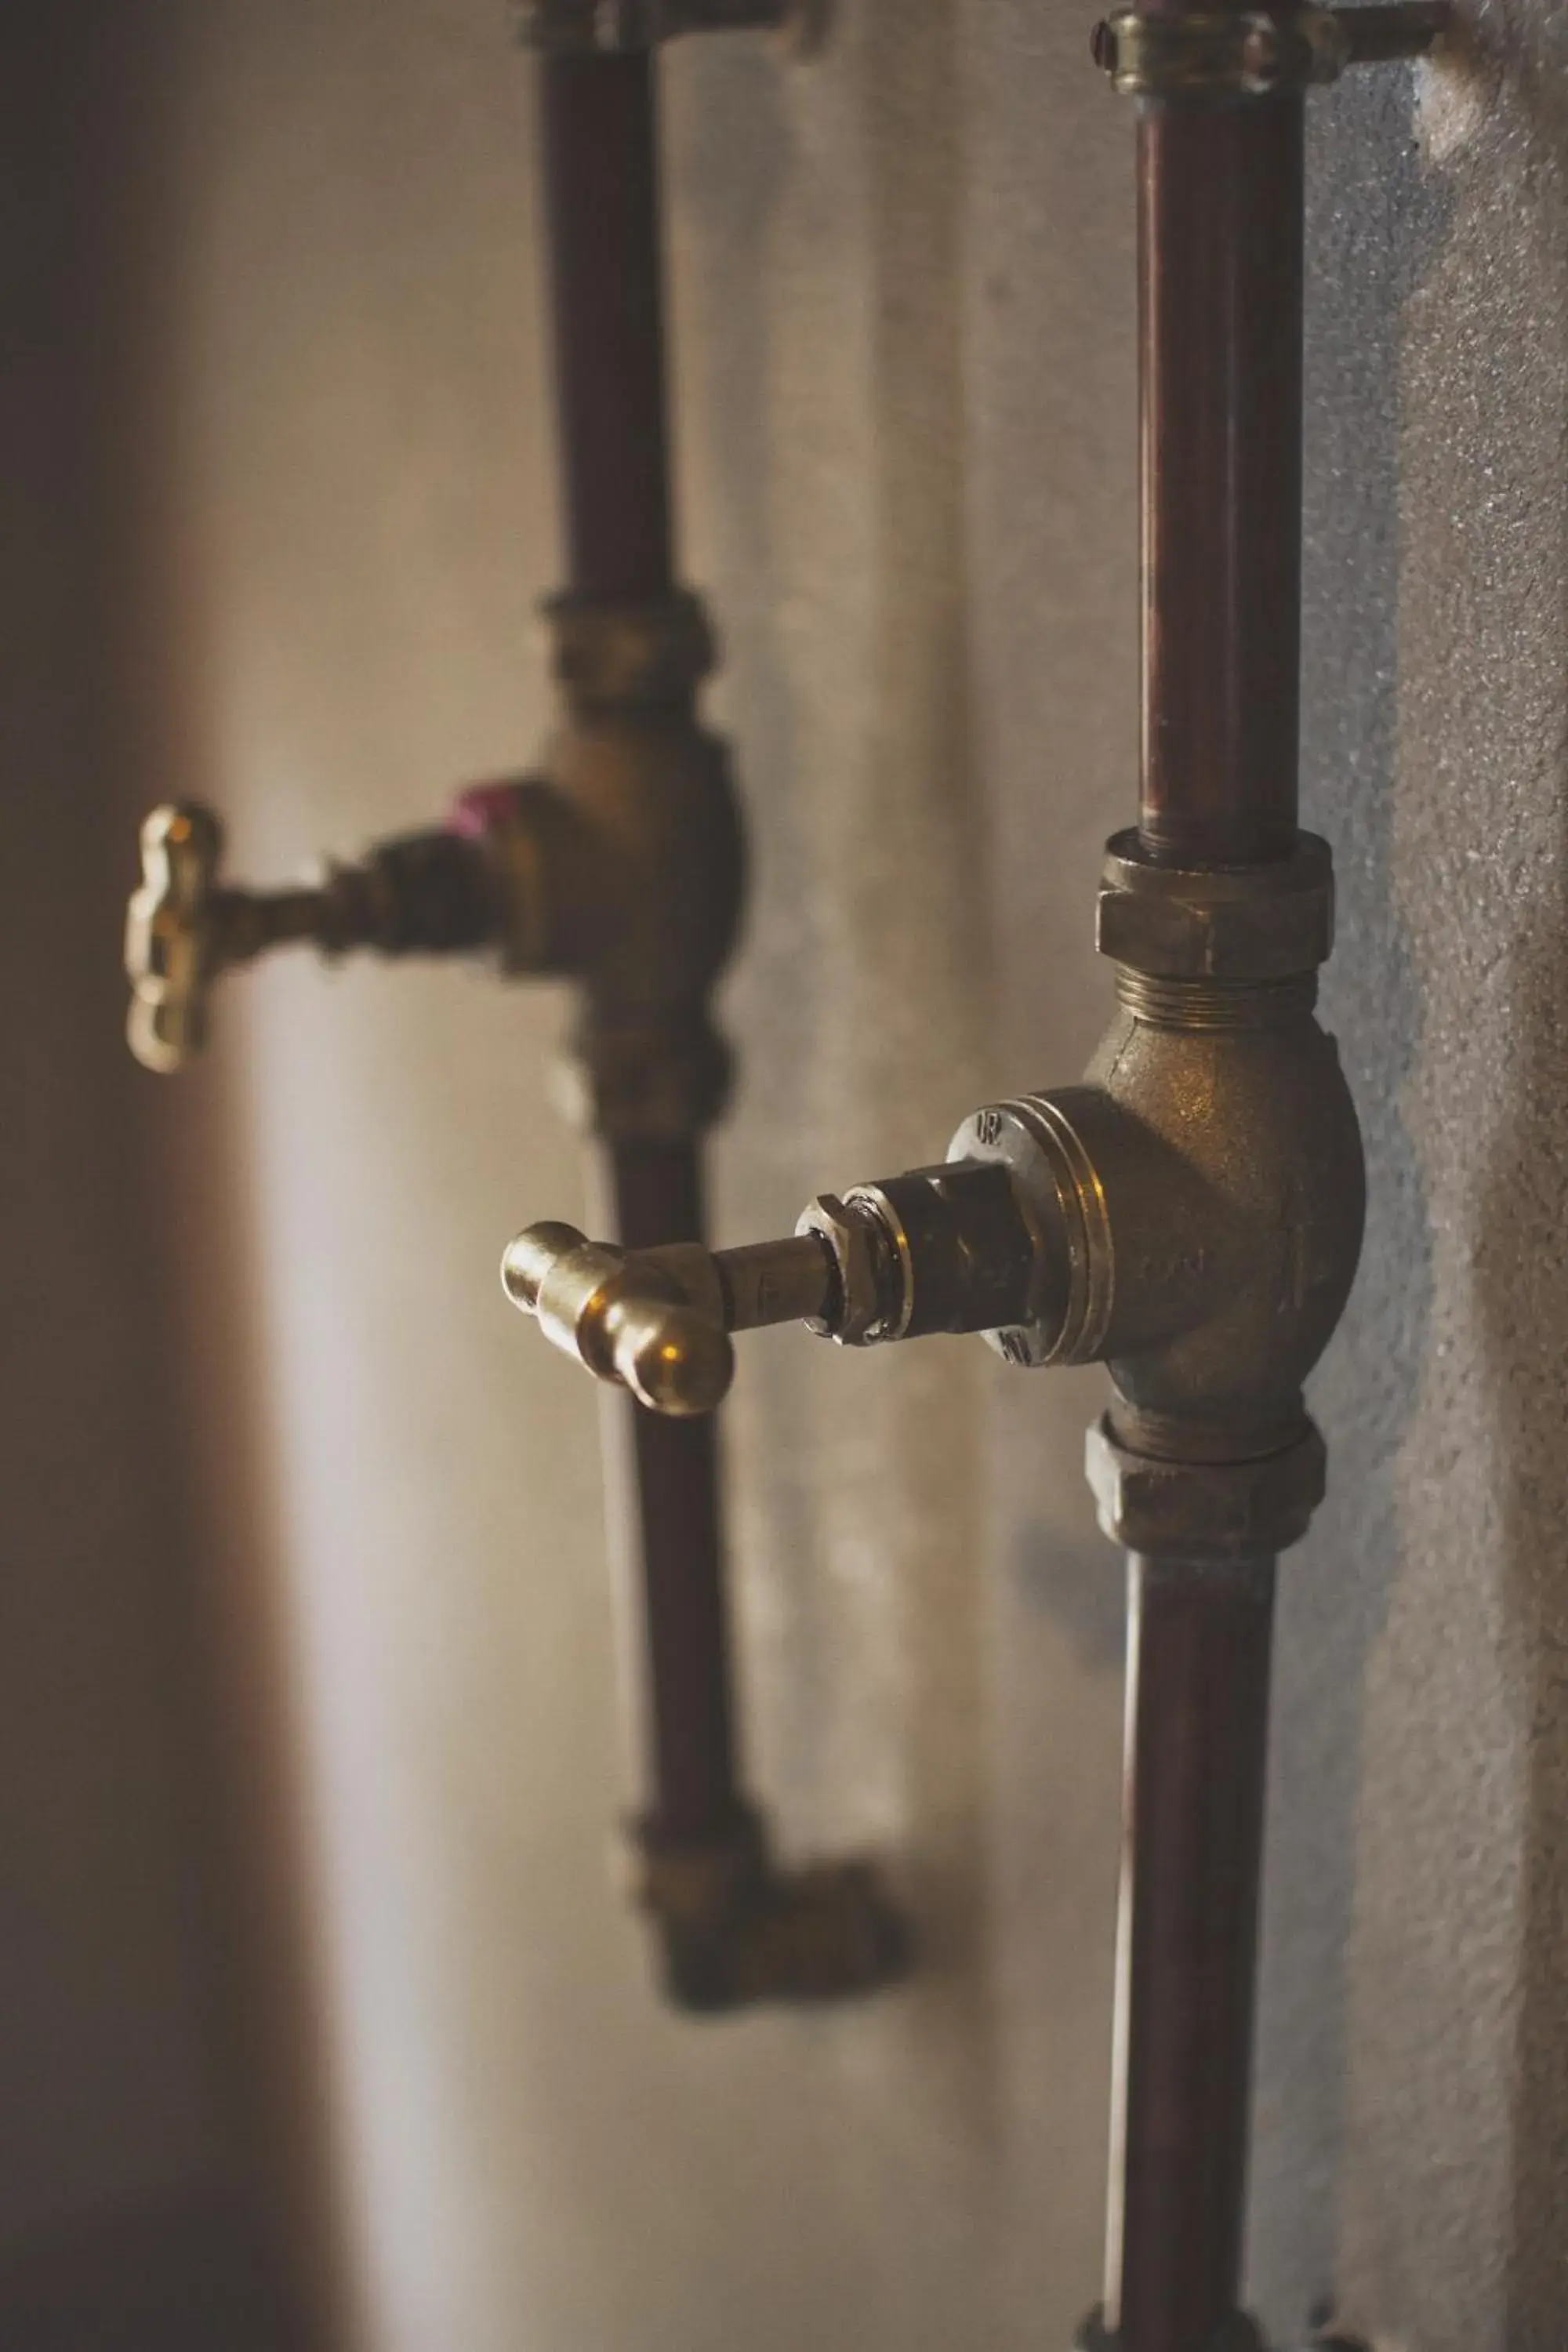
1198, 1205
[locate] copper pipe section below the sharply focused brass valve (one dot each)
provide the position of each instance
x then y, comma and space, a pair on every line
1193, 1843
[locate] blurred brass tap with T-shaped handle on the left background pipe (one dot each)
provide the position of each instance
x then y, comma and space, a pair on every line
617, 864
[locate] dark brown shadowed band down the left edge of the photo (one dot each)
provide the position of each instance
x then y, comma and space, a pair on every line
142, 2163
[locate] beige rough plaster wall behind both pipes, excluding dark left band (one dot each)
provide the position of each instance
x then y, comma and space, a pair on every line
906, 387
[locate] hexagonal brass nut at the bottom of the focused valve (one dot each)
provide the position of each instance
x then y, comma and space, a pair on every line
1205, 1511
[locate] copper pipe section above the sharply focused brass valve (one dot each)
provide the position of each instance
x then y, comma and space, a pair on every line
1221, 413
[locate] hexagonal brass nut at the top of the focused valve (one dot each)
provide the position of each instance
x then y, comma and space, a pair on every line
1249, 923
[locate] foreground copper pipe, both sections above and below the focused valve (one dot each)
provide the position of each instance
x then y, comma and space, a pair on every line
1221, 215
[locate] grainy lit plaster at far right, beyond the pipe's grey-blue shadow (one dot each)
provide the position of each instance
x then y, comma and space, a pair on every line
1459, 2090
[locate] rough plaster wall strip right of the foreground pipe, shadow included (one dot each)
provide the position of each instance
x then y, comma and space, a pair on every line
1414, 2026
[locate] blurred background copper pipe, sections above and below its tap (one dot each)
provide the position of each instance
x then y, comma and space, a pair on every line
601, 152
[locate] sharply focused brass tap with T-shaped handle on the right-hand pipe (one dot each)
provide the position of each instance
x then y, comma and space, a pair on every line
1188, 1217
